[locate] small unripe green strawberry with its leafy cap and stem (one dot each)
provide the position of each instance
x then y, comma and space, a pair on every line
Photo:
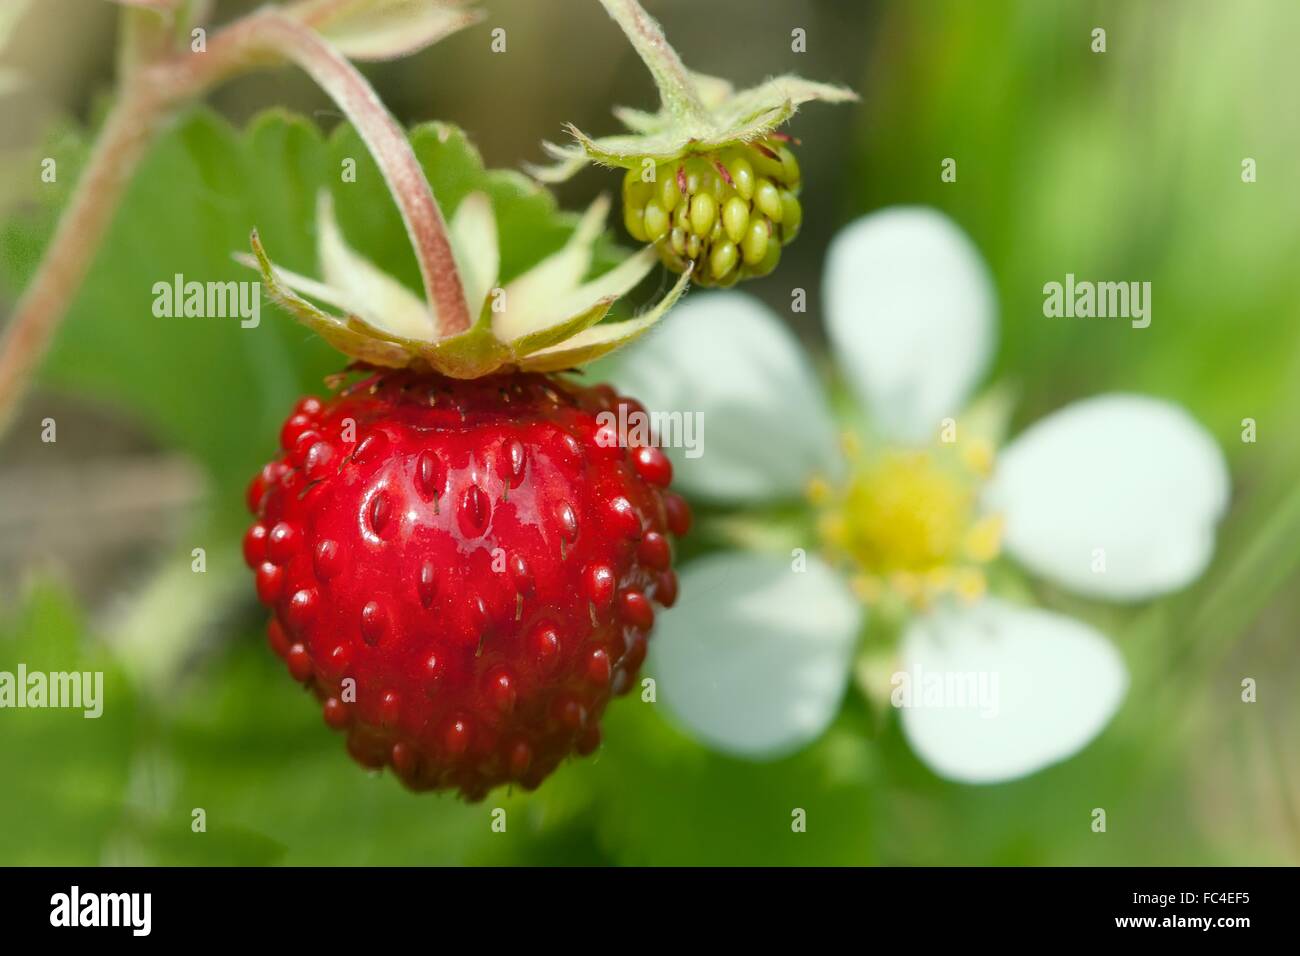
712, 181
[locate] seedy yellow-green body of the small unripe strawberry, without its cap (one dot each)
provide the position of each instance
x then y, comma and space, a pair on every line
729, 211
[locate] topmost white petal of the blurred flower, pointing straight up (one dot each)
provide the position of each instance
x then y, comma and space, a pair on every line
911, 310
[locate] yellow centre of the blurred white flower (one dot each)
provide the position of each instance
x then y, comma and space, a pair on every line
909, 524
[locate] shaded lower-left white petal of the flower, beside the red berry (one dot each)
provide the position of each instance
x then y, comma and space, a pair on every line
756, 656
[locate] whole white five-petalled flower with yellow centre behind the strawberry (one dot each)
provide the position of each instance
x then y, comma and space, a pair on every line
1113, 498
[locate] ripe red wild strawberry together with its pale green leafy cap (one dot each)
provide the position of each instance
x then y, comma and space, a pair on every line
461, 565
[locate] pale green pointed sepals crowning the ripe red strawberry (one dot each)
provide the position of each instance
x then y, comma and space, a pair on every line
547, 319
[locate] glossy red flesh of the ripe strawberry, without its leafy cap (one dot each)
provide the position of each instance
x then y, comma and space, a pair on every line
474, 560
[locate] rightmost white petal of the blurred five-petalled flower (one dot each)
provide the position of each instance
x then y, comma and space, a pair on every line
1117, 496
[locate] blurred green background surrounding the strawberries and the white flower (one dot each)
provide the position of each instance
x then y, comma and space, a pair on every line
1125, 165
